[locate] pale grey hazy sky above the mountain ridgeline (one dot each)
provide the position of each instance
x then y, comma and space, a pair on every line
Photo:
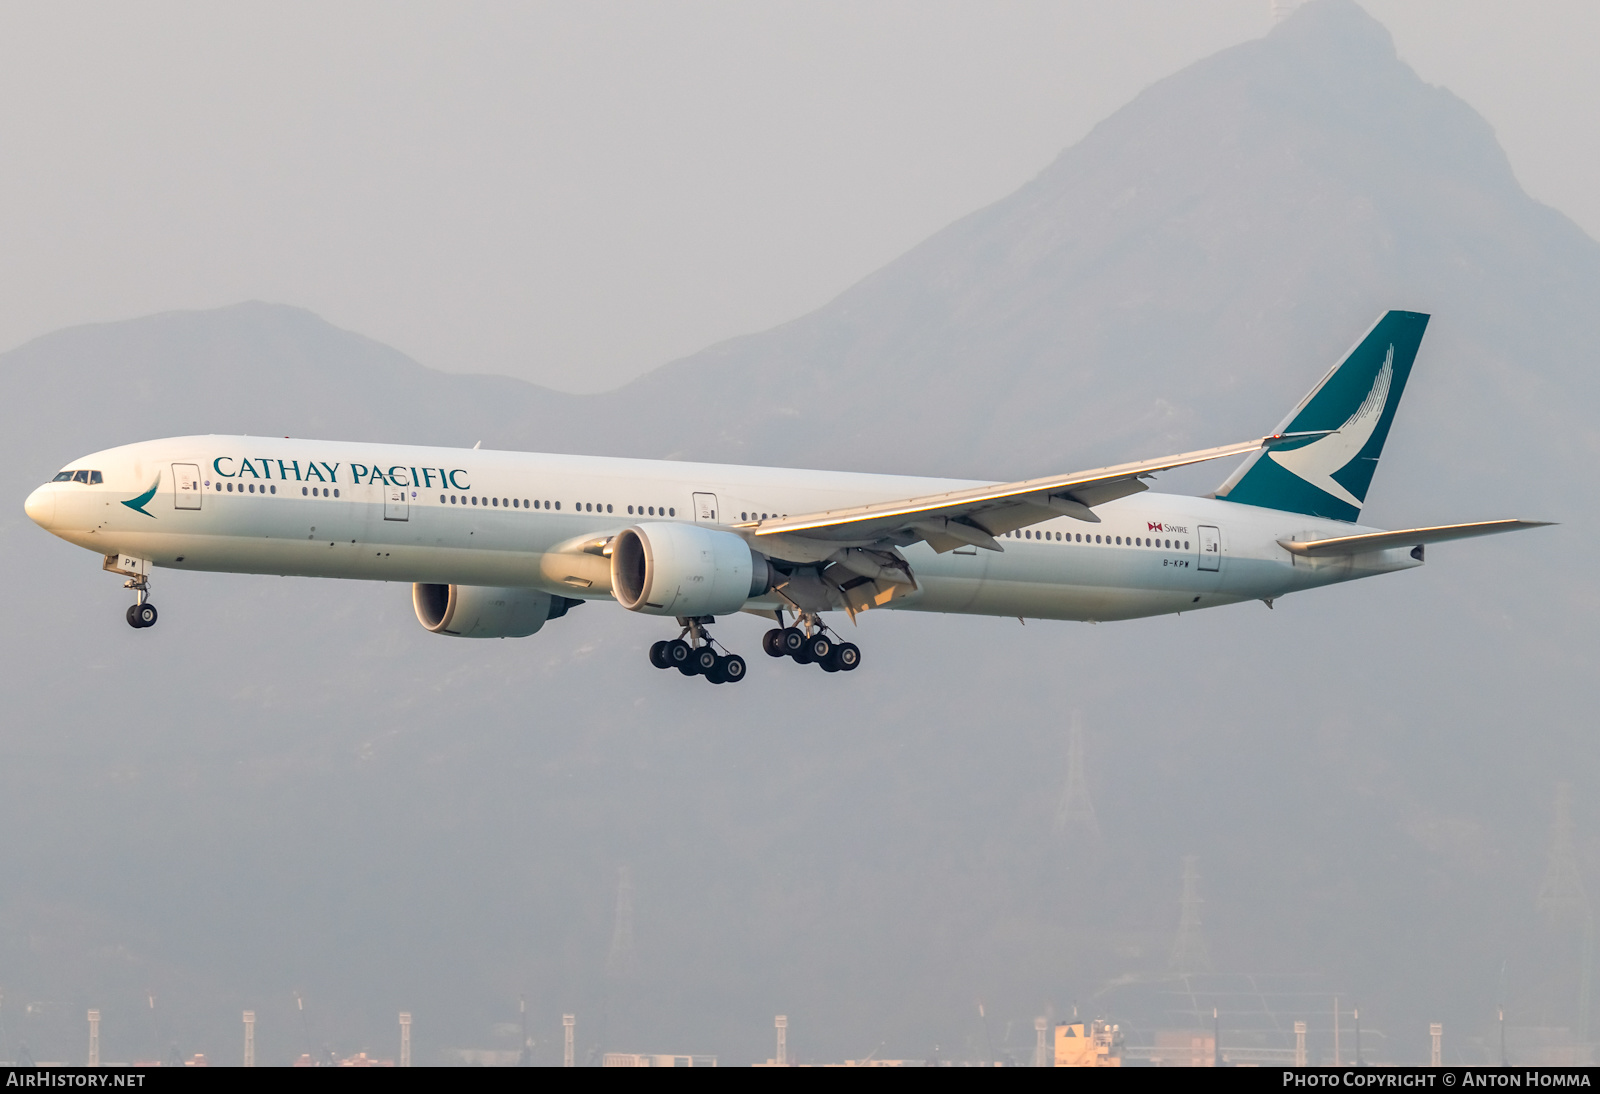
575, 194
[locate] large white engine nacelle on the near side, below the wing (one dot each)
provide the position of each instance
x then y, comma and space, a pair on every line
686, 570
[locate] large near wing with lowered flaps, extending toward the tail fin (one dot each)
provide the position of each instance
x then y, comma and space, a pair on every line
977, 516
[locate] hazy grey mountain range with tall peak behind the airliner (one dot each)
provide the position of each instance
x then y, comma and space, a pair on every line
290, 788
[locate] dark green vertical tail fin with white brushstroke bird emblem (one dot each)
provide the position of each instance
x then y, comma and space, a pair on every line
1358, 401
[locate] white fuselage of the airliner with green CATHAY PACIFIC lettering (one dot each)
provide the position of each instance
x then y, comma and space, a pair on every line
468, 517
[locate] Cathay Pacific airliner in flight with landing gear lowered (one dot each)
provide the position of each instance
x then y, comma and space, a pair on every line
497, 545
